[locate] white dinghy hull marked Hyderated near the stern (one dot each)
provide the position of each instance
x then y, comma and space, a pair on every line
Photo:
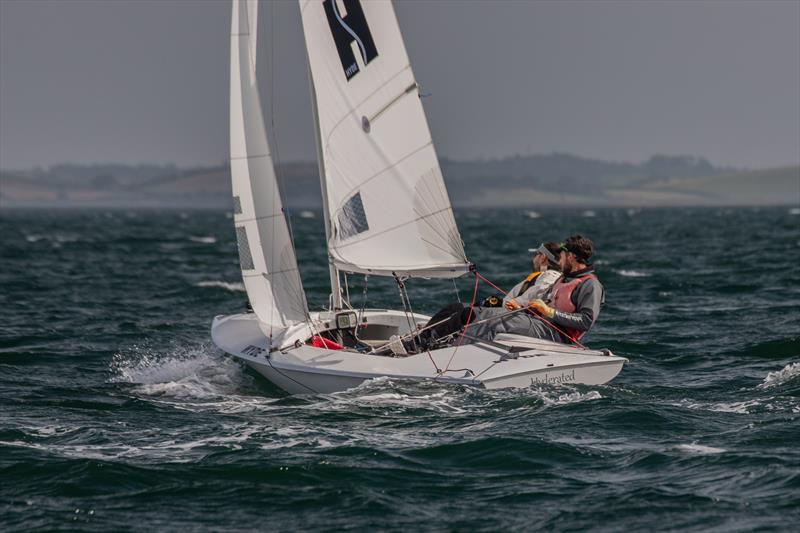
300, 368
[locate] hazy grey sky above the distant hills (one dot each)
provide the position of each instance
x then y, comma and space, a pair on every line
146, 81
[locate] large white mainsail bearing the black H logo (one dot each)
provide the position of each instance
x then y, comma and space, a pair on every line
386, 201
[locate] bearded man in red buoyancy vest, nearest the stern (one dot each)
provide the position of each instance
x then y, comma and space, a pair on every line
573, 309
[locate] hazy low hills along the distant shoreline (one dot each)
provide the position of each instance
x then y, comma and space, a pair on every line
533, 182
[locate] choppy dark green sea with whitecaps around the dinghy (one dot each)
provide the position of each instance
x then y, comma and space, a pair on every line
117, 412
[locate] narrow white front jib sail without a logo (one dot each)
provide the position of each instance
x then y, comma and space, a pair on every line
266, 254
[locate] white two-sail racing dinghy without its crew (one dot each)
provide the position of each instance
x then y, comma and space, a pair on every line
386, 212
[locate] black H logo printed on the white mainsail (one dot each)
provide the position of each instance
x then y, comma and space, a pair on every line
350, 33
